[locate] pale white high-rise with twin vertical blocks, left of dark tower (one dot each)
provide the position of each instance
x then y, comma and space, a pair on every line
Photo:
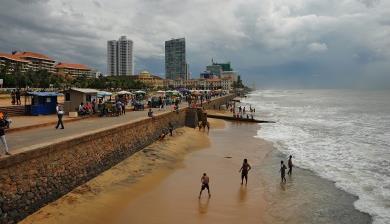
120, 59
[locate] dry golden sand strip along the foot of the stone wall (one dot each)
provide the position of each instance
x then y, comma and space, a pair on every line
100, 199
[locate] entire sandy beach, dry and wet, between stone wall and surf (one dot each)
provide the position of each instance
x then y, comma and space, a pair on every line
161, 185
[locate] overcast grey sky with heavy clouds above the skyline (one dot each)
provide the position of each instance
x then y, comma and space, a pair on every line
290, 43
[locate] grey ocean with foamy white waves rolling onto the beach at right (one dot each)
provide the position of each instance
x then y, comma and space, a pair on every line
341, 135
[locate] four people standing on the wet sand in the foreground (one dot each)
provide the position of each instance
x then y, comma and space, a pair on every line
244, 170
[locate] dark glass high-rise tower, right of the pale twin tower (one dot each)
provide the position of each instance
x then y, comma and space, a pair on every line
176, 66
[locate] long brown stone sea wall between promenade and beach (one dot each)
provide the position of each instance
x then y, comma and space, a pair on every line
42, 174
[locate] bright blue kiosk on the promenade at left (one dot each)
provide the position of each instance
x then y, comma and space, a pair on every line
42, 103
